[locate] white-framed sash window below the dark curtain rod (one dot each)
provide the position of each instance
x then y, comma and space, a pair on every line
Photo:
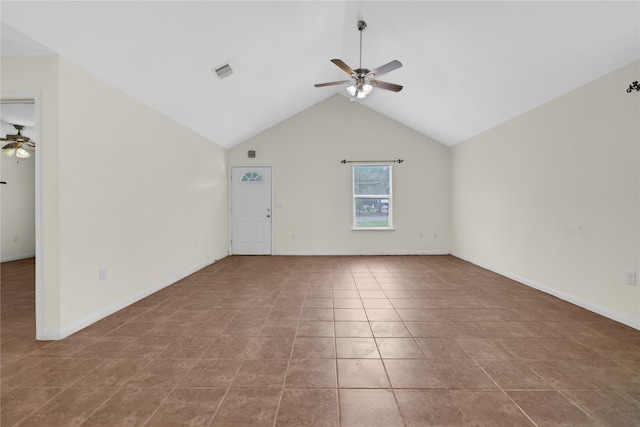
372, 201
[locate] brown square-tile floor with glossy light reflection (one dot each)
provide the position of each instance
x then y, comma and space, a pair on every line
324, 341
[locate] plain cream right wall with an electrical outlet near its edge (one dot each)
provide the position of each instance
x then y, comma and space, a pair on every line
551, 198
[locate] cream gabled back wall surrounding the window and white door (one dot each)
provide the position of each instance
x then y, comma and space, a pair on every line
314, 189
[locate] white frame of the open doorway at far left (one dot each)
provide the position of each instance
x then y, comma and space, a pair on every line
36, 98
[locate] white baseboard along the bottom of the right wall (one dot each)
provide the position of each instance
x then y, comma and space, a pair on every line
588, 305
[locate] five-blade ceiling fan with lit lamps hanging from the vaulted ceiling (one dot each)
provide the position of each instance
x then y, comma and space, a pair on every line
363, 80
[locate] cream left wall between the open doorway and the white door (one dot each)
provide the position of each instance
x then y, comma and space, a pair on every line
123, 191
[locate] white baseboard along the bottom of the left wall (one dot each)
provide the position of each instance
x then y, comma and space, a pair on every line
109, 310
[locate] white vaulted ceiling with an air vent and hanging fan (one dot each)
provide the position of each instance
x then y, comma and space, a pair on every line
468, 66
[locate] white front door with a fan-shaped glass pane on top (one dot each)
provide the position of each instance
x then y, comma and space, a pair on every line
251, 210
